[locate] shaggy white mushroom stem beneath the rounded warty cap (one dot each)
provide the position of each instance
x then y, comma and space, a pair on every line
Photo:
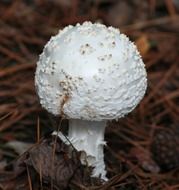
88, 137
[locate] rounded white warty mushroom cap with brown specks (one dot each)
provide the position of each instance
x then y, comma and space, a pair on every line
90, 72
